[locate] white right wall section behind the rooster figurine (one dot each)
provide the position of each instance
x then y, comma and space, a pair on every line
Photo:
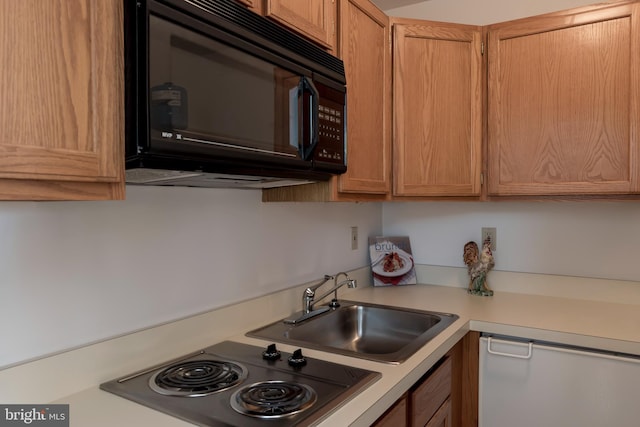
587, 239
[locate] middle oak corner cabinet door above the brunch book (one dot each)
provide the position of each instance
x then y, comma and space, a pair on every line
437, 109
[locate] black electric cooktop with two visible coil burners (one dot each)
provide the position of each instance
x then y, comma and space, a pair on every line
235, 384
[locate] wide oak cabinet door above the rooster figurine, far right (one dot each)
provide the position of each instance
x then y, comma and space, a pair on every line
563, 103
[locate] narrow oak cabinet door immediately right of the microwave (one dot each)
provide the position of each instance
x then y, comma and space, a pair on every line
364, 48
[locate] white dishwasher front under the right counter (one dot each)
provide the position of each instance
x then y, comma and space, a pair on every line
536, 384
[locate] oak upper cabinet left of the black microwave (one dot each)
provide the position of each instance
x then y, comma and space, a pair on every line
62, 90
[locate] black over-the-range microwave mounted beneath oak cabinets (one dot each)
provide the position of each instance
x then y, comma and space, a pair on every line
216, 95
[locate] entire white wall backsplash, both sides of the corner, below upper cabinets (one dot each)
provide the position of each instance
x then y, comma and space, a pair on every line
79, 272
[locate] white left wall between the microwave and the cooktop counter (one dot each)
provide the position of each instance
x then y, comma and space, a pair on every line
78, 272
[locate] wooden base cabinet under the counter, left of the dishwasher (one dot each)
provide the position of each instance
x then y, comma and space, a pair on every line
446, 396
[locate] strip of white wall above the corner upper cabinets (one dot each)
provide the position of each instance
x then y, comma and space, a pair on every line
475, 12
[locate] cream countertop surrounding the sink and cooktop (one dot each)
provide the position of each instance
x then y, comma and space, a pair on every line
604, 325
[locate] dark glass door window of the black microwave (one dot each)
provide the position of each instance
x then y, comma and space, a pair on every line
212, 97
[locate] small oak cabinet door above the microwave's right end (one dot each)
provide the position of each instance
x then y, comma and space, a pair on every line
313, 18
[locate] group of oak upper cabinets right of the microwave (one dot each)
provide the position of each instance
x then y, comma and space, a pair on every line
548, 107
